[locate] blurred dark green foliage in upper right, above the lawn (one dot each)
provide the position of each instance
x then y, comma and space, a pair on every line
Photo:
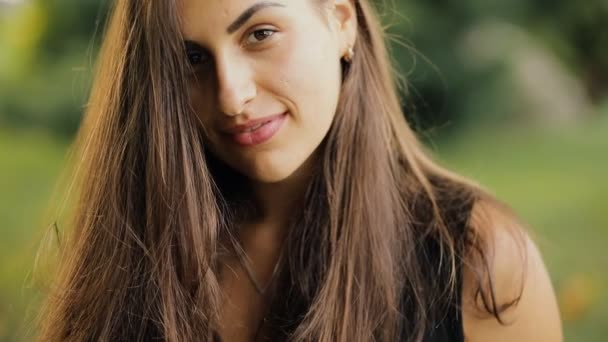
447, 87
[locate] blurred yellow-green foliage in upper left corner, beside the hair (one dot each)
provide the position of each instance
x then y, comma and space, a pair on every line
50, 47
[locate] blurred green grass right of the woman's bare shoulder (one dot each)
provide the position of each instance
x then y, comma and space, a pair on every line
555, 179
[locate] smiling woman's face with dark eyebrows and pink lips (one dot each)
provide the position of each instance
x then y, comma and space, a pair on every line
266, 78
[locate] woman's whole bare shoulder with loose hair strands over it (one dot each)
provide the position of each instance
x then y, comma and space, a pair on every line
515, 283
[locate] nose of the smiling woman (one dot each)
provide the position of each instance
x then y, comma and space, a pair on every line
236, 87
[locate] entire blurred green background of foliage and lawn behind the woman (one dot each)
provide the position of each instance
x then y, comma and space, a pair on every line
511, 93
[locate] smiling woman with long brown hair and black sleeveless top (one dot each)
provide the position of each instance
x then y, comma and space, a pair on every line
246, 174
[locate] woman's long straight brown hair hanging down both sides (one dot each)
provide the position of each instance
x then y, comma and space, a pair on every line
140, 256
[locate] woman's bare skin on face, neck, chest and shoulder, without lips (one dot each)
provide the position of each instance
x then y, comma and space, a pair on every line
297, 69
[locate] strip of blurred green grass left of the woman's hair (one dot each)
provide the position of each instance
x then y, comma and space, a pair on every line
29, 164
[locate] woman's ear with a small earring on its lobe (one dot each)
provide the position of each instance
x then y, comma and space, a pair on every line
344, 17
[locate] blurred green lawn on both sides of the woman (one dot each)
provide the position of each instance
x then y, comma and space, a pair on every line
555, 179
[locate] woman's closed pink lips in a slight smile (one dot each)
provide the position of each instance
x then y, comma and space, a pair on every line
255, 132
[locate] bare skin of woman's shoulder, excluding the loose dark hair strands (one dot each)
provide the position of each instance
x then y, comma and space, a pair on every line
536, 316
